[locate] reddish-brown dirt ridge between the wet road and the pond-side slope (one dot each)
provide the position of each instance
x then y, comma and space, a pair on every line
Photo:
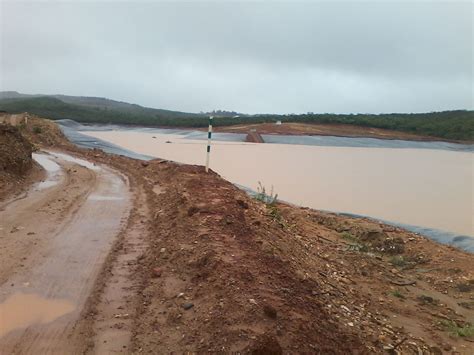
216, 252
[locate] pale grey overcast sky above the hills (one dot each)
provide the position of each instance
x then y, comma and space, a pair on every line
244, 56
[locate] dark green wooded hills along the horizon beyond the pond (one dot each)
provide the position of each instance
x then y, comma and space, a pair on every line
453, 125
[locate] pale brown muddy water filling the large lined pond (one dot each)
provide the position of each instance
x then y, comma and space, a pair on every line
421, 187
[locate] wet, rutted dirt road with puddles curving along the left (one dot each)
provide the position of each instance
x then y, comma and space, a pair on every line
53, 242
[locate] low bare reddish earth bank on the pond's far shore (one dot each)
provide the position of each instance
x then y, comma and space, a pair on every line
338, 130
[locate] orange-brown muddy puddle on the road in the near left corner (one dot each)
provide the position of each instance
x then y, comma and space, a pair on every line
21, 310
